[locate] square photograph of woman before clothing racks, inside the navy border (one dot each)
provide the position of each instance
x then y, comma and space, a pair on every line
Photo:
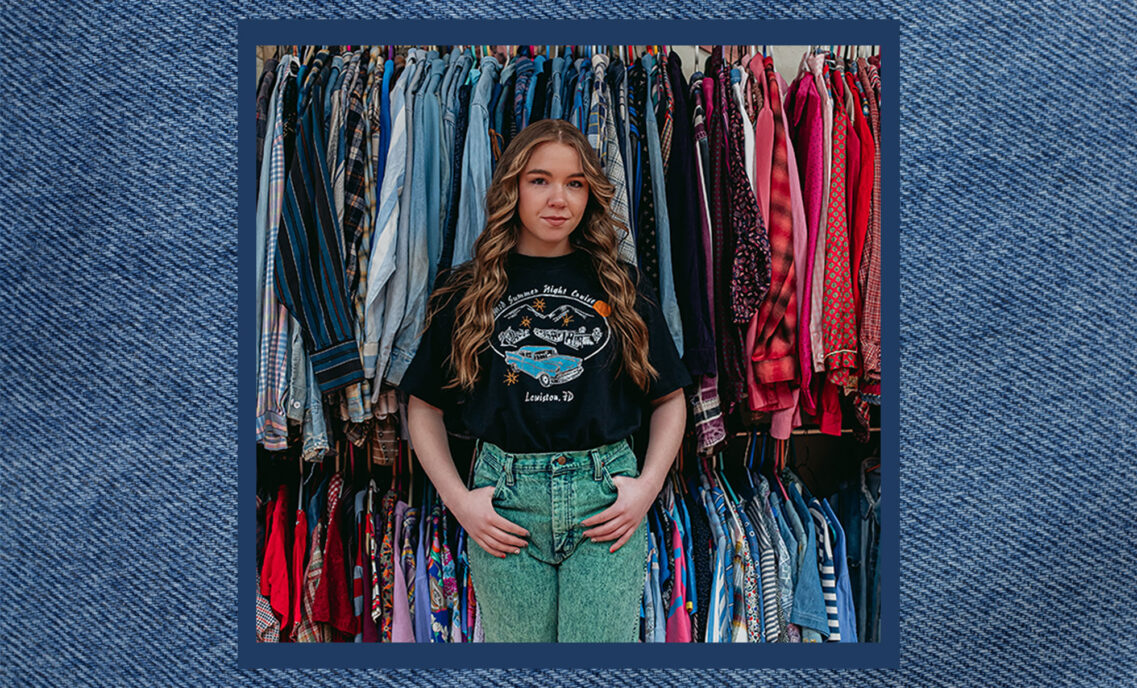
566, 344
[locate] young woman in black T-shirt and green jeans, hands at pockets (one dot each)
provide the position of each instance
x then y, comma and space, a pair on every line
549, 351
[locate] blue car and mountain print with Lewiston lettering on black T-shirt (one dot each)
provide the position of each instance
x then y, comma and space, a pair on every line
547, 336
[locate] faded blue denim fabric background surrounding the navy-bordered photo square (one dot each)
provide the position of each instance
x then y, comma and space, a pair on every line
119, 369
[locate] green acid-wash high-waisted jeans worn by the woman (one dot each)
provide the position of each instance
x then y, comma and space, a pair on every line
562, 587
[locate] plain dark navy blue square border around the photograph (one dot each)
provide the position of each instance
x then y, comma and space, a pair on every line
884, 654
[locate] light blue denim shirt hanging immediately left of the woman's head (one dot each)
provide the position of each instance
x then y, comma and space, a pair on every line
477, 168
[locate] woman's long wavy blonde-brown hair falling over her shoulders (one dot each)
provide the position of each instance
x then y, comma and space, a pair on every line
483, 281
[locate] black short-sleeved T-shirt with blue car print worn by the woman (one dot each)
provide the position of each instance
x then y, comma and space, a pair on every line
550, 377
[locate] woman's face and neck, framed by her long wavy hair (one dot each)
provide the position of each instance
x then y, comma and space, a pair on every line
552, 198
